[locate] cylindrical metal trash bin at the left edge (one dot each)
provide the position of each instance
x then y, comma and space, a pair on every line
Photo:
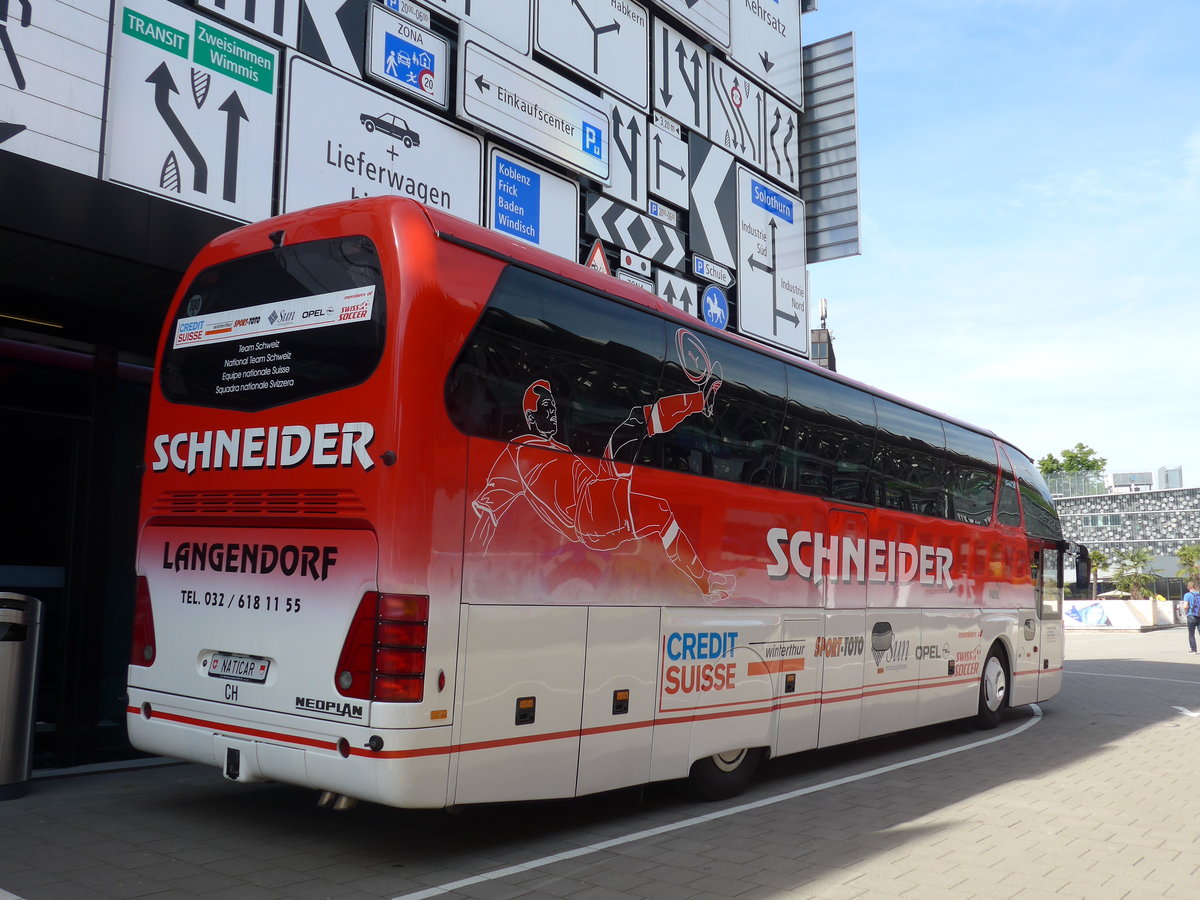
21, 635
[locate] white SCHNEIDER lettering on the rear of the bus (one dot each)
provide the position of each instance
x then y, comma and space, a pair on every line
277, 447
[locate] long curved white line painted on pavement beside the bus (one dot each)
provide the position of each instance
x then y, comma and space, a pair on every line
712, 817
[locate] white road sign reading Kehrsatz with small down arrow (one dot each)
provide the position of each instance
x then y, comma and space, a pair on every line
765, 40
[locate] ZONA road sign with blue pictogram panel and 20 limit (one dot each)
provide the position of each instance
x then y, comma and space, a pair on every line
409, 58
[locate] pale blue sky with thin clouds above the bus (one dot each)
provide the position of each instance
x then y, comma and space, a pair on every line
1030, 220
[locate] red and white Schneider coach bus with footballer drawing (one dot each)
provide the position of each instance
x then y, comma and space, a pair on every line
433, 518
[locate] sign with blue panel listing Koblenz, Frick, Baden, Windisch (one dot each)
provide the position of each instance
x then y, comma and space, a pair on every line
532, 205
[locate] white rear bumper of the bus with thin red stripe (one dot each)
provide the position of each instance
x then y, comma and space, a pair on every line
410, 770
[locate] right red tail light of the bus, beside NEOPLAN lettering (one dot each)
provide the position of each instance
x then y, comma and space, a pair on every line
383, 657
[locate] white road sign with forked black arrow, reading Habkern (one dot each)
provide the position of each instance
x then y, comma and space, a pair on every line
605, 43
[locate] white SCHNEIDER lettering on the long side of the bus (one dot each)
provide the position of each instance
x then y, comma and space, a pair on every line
817, 557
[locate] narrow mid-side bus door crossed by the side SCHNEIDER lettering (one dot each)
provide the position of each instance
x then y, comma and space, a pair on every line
839, 651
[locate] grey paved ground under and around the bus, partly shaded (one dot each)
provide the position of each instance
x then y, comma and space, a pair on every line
1091, 801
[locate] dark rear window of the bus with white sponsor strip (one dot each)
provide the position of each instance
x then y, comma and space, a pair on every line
278, 327
